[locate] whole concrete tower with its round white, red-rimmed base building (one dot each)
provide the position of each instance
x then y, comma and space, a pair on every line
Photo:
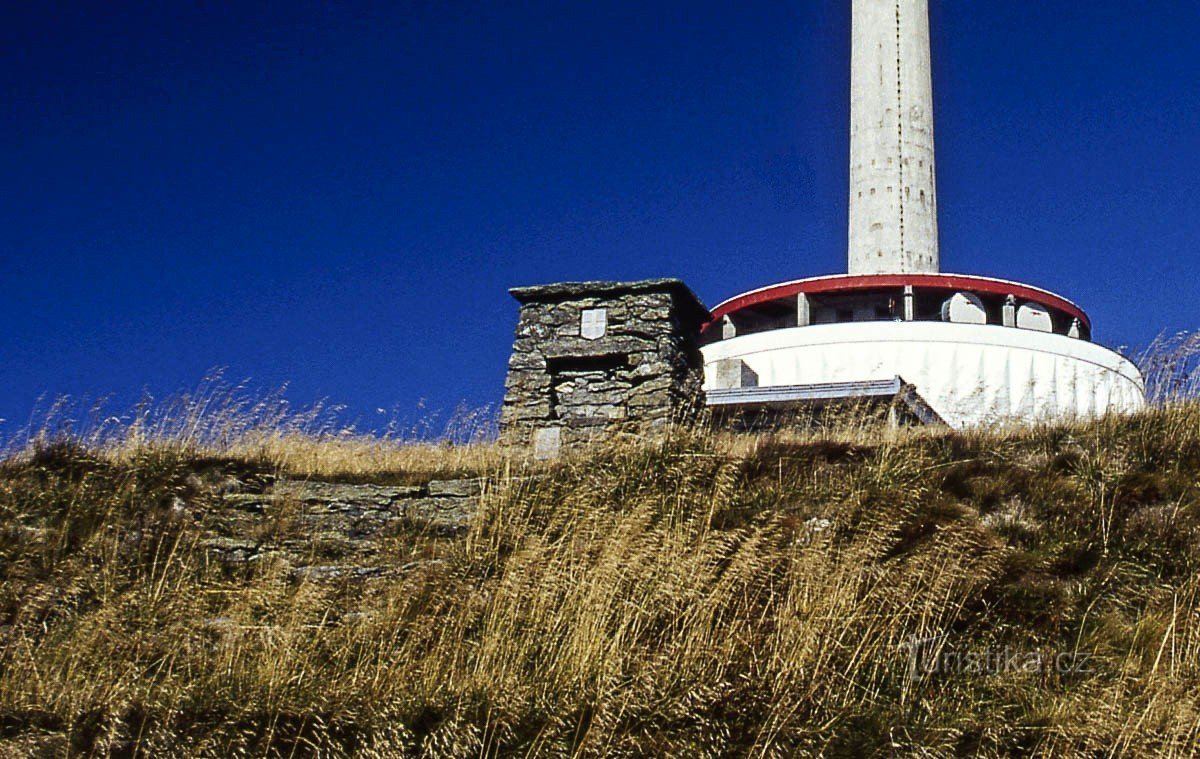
970, 350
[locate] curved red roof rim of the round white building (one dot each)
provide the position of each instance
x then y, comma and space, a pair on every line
878, 282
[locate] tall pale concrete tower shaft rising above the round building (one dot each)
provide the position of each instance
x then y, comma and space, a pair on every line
893, 199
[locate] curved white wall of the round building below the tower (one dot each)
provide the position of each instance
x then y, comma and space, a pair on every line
970, 374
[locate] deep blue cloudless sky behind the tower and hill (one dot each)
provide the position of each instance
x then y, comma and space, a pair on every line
338, 195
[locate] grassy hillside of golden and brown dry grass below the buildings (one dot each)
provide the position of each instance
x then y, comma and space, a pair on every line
847, 593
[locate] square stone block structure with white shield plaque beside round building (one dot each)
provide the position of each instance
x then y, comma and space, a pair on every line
592, 358
